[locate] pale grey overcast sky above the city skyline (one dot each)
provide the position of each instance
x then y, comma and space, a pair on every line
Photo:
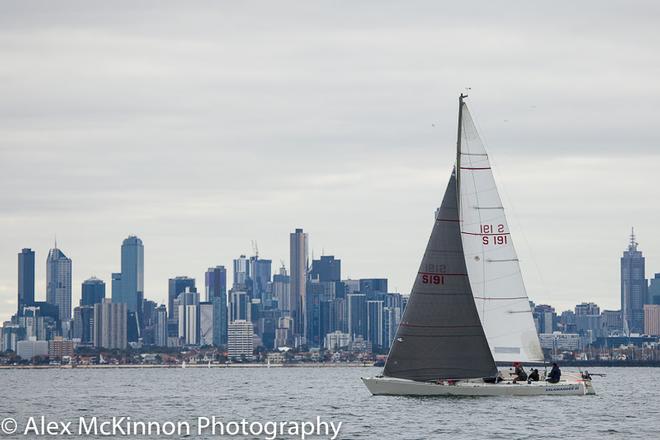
200, 126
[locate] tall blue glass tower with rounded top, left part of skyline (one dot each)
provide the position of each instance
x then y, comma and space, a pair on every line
132, 274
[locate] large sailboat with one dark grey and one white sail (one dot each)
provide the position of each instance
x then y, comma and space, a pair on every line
468, 309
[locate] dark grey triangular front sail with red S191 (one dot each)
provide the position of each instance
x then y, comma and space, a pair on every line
440, 335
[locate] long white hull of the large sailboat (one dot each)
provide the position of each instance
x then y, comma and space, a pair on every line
390, 386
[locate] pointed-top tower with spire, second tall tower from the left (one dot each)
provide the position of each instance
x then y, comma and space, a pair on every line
58, 282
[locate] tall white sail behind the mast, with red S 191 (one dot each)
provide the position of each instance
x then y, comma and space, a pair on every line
490, 257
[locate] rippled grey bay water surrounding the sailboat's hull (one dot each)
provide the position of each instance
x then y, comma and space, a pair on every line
627, 404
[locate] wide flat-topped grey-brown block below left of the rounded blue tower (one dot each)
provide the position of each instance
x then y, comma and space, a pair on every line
110, 325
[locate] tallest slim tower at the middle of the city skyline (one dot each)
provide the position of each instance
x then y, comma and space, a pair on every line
298, 265
